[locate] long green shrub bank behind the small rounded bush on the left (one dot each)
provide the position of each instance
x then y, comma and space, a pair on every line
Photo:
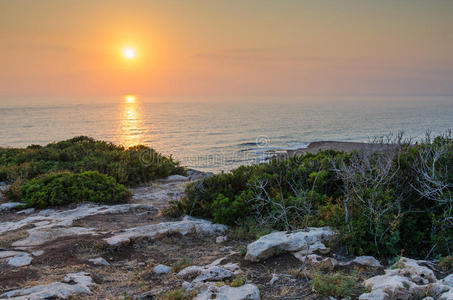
130, 166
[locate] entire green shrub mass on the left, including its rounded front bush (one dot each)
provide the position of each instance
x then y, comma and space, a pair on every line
80, 169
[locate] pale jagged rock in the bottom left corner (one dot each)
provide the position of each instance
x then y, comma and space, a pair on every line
73, 284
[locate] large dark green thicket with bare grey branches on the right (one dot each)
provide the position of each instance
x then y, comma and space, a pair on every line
381, 203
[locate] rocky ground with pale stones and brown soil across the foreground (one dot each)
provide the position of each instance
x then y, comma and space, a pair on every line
131, 251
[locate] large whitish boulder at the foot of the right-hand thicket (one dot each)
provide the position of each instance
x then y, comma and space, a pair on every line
265, 246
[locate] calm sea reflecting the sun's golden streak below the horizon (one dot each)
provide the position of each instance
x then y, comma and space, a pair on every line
219, 136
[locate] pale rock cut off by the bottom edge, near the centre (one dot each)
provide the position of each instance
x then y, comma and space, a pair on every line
245, 292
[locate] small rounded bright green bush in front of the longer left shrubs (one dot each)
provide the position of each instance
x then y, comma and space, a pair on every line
63, 188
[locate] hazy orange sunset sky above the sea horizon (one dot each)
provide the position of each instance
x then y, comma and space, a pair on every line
225, 48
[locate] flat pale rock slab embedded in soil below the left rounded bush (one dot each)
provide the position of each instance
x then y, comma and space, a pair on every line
39, 236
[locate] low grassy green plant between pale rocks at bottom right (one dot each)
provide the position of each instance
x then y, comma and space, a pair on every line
337, 285
